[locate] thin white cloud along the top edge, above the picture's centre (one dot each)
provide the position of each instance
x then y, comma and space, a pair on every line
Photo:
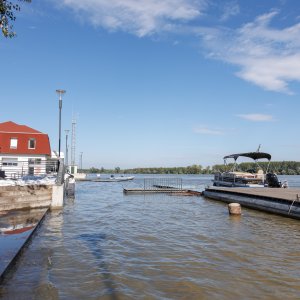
141, 17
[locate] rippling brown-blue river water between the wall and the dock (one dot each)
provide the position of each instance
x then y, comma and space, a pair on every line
107, 245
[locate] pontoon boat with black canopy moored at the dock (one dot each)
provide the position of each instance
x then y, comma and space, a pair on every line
251, 178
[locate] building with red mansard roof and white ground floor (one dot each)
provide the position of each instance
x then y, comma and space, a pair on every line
23, 150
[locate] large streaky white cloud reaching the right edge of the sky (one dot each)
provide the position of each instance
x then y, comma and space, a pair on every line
268, 57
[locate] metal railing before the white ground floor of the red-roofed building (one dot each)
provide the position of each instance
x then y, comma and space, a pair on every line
15, 169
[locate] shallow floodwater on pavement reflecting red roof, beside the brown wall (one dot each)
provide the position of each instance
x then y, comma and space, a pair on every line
15, 228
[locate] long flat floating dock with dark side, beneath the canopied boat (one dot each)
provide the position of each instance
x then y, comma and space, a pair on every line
285, 202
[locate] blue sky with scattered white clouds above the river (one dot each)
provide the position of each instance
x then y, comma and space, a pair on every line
157, 83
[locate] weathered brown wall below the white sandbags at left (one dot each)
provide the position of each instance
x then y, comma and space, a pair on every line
21, 197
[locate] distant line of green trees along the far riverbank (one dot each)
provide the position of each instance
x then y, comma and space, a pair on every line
280, 168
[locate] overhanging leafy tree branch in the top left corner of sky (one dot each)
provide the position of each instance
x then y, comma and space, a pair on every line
7, 16
